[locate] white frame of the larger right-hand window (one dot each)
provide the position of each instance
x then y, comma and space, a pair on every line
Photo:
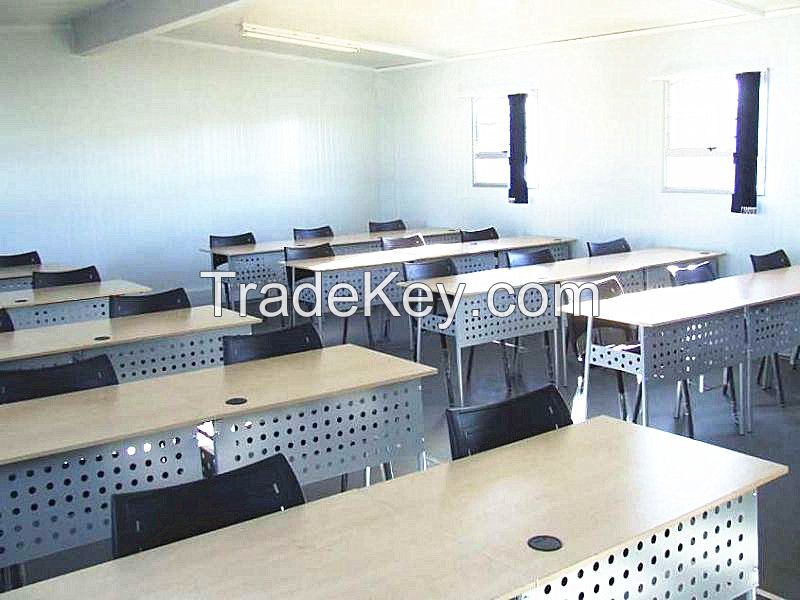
762, 142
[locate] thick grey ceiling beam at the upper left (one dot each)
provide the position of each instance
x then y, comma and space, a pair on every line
123, 19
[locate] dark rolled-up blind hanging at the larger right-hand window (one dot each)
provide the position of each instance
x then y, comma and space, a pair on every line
745, 195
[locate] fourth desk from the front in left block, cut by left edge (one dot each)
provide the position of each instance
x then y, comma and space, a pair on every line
64, 304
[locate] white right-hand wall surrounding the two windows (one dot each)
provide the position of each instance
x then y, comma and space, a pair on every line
601, 141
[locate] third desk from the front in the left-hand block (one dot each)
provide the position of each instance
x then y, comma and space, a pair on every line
140, 346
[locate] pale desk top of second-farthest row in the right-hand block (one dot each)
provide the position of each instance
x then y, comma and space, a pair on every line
429, 251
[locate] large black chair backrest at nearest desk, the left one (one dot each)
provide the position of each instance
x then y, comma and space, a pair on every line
148, 519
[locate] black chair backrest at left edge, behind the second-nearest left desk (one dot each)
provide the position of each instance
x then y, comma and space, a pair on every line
26, 384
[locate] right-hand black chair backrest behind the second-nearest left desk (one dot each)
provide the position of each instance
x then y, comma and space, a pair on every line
243, 348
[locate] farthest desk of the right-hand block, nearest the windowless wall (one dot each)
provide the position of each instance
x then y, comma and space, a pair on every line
260, 263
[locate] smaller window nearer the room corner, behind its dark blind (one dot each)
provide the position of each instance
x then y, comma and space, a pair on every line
490, 140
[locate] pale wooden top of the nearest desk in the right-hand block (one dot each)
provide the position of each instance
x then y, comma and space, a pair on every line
652, 308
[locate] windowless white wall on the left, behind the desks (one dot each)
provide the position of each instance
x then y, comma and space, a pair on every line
130, 158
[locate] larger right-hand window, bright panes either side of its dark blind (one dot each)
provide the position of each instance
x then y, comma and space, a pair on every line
700, 135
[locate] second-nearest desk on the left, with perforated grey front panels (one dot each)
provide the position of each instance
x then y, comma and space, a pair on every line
66, 455
